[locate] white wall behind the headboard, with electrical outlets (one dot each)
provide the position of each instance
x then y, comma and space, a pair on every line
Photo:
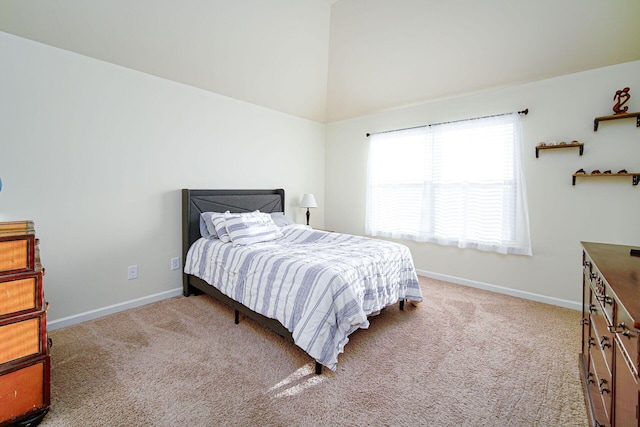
96, 155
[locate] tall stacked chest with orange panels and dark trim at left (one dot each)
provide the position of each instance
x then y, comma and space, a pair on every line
24, 351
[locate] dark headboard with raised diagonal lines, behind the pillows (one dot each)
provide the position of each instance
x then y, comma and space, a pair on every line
194, 202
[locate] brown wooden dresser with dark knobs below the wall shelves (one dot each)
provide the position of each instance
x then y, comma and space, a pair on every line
610, 357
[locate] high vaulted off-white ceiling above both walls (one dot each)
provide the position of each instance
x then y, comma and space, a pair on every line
328, 60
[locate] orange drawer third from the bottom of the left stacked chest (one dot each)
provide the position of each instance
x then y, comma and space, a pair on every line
20, 293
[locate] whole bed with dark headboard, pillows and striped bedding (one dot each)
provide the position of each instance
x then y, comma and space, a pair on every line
309, 286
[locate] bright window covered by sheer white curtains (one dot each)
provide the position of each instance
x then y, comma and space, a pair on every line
458, 184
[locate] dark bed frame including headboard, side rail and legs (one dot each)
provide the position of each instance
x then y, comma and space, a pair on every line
194, 202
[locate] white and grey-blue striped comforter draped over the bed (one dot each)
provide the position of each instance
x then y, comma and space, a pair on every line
321, 286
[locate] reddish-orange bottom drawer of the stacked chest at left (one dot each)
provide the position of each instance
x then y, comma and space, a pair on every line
24, 390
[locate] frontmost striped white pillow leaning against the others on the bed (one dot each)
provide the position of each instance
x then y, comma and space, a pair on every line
249, 228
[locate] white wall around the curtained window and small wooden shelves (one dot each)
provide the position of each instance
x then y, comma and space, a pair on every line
561, 215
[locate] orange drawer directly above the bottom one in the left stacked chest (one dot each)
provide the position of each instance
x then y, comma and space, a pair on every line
22, 336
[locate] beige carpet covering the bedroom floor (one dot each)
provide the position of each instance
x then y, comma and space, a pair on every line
464, 357
